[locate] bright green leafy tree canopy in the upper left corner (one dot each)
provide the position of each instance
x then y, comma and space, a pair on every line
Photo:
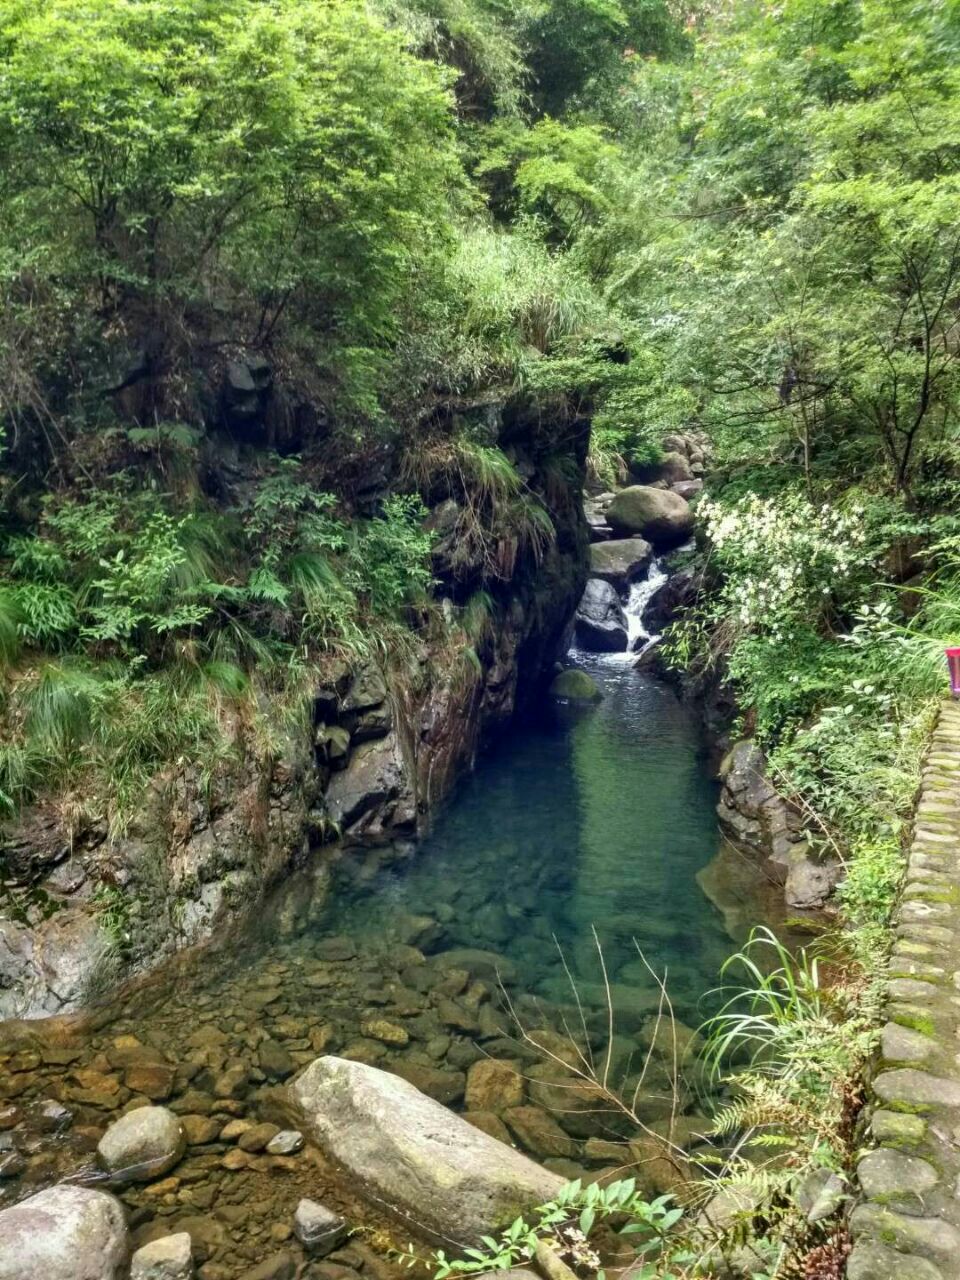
294, 152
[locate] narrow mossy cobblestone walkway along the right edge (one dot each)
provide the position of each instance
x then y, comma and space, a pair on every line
907, 1226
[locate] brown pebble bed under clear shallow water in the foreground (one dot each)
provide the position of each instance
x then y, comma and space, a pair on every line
447, 1021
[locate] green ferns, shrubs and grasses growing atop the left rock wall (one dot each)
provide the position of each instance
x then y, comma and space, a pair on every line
161, 624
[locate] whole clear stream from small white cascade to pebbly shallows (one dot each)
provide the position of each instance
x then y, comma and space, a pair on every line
566, 872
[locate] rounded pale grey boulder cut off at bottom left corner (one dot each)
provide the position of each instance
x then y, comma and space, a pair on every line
65, 1233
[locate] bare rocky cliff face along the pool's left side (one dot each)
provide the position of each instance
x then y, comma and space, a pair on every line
382, 747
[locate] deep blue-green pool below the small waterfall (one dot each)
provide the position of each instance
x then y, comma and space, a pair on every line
578, 821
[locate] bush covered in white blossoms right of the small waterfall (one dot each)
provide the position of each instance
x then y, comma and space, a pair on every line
784, 559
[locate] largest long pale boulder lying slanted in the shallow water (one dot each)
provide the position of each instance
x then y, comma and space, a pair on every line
432, 1167
